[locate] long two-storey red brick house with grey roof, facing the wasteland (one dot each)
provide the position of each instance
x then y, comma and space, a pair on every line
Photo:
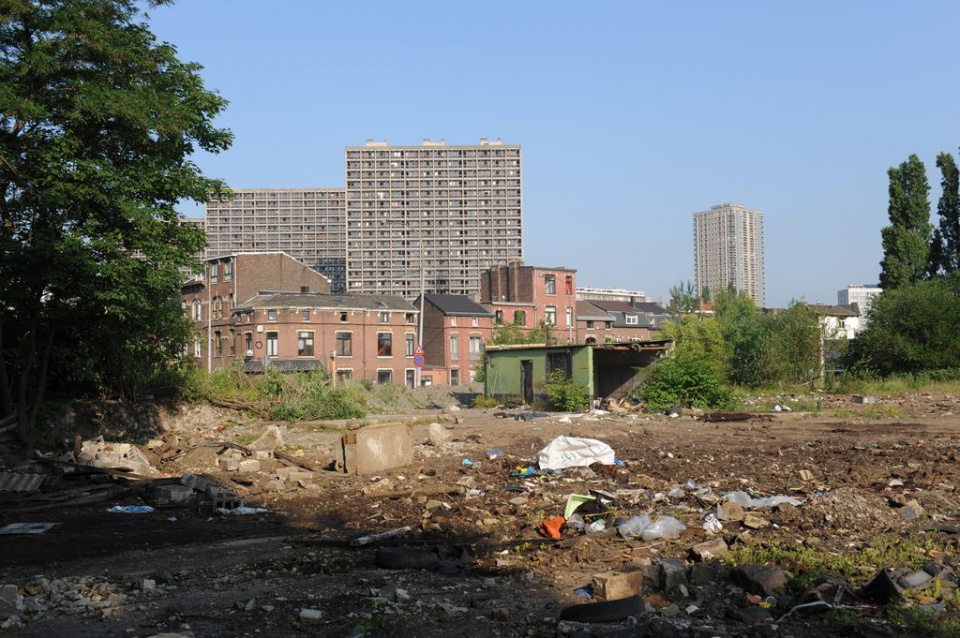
355, 337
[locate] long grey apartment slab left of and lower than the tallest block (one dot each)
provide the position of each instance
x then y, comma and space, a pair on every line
305, 223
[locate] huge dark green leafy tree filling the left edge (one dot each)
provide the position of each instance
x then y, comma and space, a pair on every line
97, 122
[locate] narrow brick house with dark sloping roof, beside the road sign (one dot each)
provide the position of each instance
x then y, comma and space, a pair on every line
455, 329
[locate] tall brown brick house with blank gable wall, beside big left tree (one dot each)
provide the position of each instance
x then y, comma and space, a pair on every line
209, 299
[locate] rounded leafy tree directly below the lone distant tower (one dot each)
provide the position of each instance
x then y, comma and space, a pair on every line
746, 333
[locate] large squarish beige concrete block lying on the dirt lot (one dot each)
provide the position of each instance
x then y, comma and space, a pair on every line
376, 448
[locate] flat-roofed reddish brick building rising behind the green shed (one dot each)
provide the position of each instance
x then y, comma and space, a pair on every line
529, 295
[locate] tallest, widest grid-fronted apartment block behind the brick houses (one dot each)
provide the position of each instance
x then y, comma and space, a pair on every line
446, 213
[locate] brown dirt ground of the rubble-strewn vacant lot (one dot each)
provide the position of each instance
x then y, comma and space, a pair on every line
859, 470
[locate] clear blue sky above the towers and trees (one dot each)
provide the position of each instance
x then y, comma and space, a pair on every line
632, 115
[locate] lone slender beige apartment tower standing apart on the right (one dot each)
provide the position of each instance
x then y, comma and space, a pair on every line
728, 248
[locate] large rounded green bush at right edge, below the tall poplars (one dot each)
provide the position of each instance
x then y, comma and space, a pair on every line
912, 329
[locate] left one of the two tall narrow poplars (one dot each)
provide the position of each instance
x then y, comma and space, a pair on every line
906, 240
